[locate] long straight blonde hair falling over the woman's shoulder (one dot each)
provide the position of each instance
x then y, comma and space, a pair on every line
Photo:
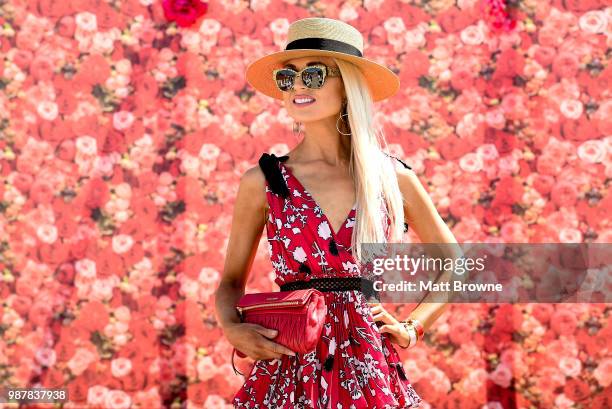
373, 171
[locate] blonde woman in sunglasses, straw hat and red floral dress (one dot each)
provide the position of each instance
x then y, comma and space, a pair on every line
318, 202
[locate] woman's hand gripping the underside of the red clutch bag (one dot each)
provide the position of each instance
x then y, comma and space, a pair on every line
254, 341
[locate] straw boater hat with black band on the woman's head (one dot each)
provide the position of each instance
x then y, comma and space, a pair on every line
326, 37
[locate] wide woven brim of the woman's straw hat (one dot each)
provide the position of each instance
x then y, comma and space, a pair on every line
383, 82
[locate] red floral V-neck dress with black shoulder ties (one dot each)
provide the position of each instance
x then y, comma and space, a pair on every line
354, 366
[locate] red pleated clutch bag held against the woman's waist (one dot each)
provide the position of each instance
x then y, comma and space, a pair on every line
297, 315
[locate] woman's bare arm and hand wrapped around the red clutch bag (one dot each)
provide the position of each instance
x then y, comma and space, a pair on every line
248, 221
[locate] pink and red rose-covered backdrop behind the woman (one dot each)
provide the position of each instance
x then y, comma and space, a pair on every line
126, 125
